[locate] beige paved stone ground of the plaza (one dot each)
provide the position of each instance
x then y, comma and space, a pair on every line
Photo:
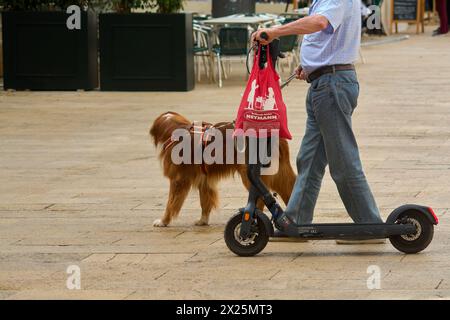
80, 185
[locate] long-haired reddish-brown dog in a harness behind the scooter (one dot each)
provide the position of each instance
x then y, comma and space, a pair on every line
206, 177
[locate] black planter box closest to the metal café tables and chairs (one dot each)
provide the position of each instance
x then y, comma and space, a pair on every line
146, 52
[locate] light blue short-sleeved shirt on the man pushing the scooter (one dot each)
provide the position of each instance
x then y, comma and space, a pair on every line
339, 42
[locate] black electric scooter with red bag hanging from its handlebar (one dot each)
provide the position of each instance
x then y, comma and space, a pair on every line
409, 228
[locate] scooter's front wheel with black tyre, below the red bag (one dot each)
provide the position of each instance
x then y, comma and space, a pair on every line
252, 245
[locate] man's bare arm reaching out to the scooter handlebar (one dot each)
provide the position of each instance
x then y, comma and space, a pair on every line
305, 25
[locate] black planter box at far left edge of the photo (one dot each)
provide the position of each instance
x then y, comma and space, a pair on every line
41, 53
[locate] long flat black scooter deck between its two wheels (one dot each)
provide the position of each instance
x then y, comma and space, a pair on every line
354, 231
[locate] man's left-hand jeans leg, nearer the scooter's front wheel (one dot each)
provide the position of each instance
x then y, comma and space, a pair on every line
311, 163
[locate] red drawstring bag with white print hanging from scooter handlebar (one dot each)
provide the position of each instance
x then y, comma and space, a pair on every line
262, 105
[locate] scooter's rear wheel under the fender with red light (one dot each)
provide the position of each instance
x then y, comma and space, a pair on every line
414, 243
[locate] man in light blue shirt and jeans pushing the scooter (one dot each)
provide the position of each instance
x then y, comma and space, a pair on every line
328, 52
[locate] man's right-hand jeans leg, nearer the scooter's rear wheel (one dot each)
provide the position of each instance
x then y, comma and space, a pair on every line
333, 111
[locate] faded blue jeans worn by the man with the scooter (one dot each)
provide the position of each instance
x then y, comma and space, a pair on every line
329, 139
